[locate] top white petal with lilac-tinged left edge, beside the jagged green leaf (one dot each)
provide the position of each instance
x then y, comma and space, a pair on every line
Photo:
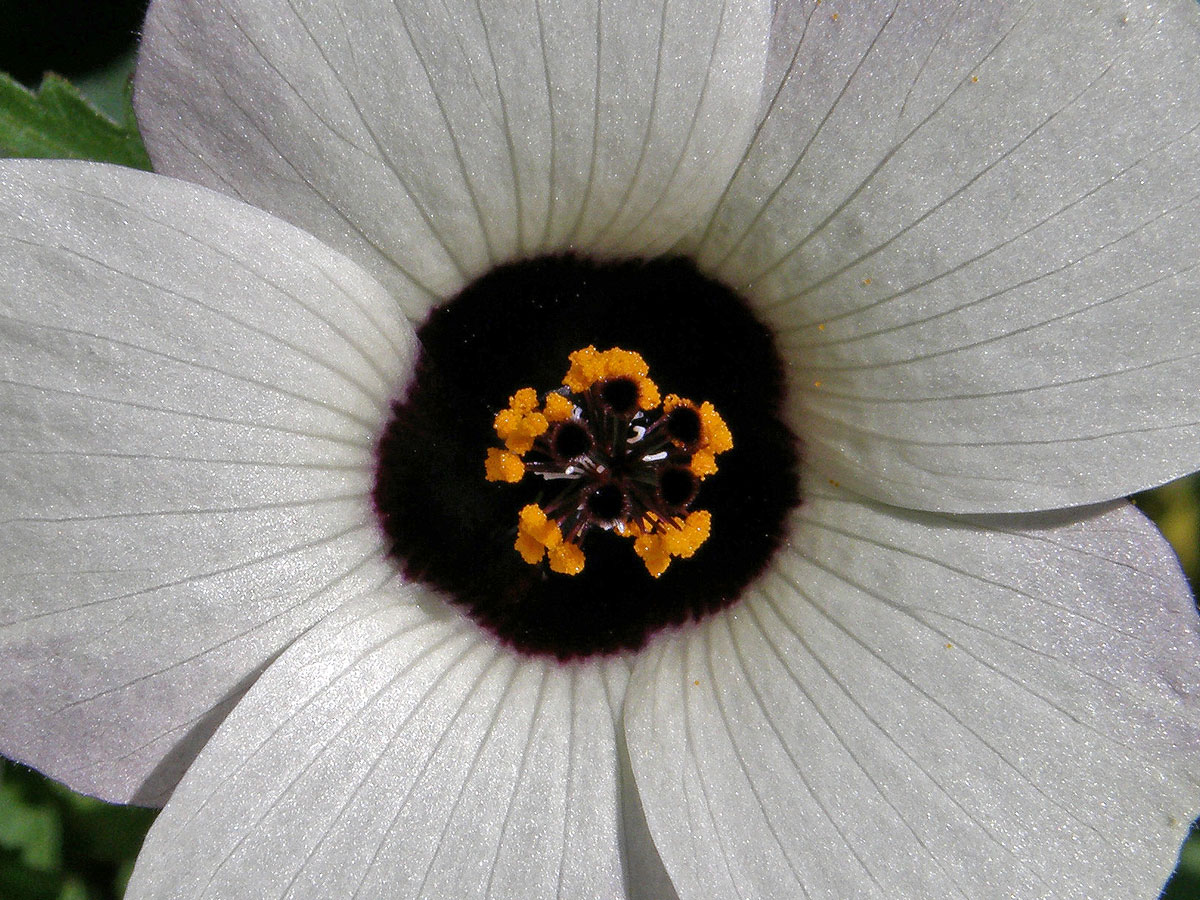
436, 140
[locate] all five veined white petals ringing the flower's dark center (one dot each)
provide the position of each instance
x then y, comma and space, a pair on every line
974, 230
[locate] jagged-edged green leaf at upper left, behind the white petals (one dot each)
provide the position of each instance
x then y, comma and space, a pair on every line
57, 122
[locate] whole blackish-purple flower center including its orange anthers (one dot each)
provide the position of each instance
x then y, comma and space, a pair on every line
578, 515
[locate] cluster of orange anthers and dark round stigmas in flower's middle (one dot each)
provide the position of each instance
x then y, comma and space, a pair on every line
616, 458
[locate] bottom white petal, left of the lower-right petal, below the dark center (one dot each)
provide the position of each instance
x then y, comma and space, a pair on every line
394, 752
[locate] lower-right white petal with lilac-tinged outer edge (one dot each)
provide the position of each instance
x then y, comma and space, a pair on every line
921, 707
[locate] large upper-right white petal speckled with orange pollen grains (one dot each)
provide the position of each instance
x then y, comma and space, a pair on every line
975, 227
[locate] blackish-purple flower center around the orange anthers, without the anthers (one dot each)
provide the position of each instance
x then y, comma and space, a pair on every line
514, 328
